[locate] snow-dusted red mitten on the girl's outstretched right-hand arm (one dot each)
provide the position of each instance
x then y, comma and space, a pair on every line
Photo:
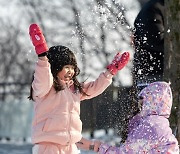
119, 61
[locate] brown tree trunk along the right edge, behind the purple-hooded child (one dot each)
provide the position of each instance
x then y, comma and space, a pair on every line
172, 59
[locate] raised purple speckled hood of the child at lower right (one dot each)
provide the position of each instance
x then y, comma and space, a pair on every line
157, 99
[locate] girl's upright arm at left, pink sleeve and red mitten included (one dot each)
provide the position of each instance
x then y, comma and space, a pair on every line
43, 79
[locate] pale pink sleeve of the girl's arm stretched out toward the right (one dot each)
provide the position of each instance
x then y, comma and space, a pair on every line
95, 88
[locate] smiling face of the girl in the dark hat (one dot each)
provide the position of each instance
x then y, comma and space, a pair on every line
66, 73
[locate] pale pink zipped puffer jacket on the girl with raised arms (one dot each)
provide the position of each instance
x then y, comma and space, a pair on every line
57, 114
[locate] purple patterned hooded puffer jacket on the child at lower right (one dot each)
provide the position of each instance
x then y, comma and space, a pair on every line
149, 131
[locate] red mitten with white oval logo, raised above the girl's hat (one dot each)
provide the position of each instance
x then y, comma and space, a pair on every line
38, 39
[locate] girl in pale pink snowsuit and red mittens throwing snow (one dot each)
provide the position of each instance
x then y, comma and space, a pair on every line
57, 94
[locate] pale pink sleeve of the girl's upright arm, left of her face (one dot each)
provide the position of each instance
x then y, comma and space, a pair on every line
43, 79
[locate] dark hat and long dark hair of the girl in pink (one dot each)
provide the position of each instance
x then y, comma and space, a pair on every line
59, 56
